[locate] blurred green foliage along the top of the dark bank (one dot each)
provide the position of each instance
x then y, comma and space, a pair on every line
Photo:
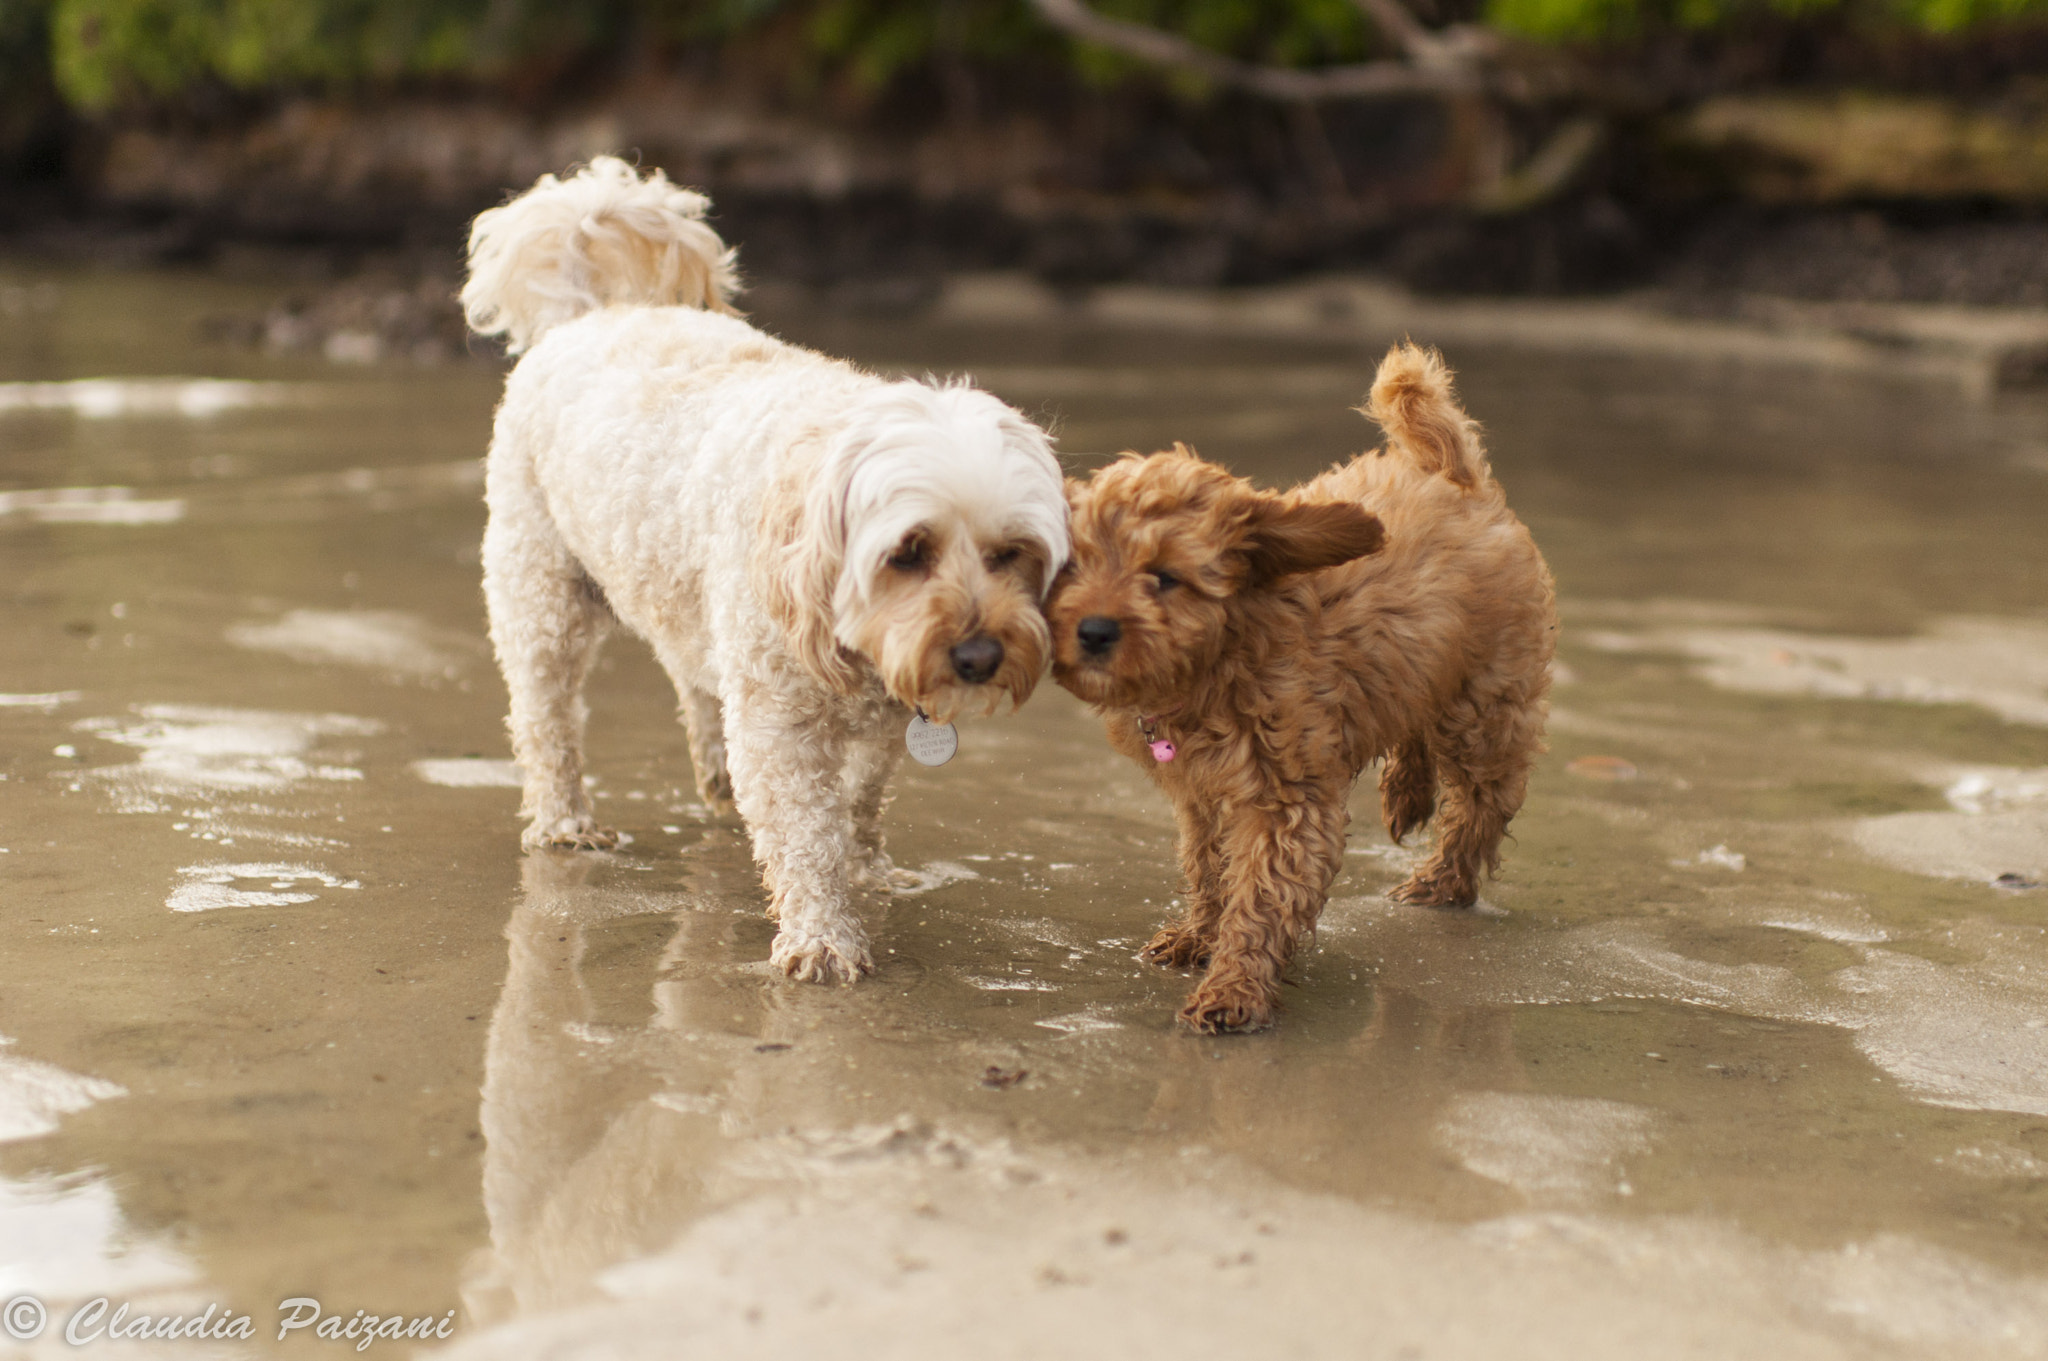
103, 52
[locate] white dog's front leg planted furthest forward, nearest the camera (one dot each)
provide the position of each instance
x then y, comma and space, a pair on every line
787, 779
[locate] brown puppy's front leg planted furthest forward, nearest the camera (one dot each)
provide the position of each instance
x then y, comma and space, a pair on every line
1277, 871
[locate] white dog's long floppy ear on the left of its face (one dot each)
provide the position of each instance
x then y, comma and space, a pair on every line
800, 562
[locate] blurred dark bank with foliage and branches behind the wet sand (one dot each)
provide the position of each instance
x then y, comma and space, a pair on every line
1709, 150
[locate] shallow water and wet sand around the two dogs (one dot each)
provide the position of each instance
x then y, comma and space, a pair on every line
1746, 1053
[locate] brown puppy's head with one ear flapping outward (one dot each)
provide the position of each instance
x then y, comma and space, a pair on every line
1168, 552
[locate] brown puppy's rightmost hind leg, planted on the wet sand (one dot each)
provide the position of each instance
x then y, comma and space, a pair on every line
1486, 773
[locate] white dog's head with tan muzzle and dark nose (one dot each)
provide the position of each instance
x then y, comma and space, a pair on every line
921, 535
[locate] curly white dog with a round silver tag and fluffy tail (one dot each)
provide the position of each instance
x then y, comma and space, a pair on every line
812, 550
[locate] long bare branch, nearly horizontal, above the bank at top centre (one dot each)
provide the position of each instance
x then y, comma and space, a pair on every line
1441, 64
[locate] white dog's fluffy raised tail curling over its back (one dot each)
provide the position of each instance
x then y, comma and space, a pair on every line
603, 236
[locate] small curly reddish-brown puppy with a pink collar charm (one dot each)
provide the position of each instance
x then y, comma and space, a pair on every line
1258, 652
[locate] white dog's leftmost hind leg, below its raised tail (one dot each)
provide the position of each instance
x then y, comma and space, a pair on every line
548, 623
